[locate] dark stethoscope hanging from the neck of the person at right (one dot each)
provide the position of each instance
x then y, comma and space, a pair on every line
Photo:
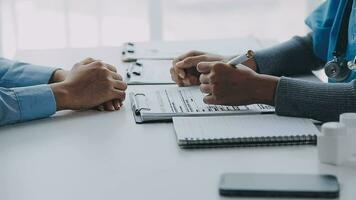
339, 69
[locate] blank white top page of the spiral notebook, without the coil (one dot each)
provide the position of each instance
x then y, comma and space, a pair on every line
239, 126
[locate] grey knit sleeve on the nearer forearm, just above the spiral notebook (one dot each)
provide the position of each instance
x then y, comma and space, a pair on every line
319, 101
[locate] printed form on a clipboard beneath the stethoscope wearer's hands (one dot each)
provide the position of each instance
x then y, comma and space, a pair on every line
165, 103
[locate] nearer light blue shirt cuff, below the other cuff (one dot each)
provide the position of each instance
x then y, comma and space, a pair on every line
35, 102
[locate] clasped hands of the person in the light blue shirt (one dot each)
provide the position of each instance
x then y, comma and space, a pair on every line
87, 85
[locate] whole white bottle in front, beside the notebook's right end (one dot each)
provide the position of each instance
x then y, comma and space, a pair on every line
331, 143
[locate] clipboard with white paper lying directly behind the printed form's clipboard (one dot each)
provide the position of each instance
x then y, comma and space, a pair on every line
149, 72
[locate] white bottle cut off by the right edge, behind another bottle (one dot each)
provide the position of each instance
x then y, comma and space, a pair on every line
349, 119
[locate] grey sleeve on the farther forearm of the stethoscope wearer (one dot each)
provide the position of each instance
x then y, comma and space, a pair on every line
292, 57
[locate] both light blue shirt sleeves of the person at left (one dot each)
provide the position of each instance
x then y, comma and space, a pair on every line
24, 93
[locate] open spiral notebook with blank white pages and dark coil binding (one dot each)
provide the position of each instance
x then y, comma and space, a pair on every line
243, 131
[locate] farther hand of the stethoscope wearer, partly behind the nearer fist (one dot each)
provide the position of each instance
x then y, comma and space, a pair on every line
184, 71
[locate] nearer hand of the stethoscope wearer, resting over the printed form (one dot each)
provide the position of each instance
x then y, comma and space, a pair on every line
225, 85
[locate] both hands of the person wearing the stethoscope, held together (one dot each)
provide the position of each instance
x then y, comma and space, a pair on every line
223, 84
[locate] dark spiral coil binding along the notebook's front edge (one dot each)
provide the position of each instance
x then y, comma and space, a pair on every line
249, 141
